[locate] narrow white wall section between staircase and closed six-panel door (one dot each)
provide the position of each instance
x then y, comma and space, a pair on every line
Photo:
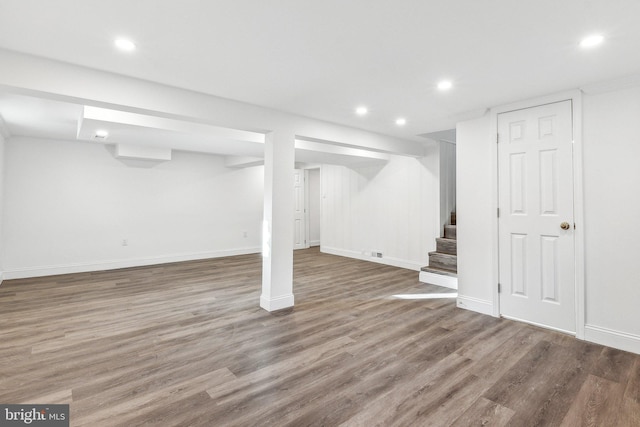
475, 215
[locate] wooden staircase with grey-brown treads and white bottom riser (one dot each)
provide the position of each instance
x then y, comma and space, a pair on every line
443, 263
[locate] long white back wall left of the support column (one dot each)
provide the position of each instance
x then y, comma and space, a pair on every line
69, 205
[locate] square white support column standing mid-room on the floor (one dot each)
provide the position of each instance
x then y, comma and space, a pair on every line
277, 234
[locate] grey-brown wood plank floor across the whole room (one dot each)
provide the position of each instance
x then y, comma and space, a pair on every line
186, 344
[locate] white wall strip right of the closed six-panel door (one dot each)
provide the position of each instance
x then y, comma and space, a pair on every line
612, 208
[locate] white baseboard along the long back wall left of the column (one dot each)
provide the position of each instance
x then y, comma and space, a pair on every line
22, 273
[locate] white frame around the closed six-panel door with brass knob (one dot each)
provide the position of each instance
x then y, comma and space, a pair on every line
578, 195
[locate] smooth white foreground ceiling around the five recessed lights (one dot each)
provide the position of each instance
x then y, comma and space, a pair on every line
321, 59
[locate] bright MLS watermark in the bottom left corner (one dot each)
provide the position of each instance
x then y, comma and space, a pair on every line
34, 415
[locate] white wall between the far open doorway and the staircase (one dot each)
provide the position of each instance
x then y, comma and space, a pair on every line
391, 208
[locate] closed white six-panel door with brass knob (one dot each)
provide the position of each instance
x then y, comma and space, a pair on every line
537, 263
